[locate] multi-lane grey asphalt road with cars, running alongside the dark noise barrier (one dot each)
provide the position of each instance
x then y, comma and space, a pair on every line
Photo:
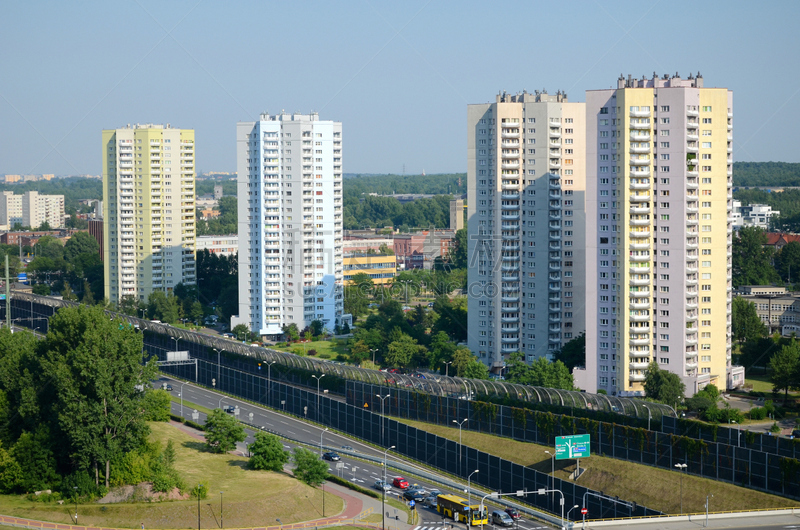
361, 472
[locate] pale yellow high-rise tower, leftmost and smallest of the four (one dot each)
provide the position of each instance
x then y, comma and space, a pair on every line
148, 209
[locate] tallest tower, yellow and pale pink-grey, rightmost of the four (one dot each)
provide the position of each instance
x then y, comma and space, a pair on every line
658, 235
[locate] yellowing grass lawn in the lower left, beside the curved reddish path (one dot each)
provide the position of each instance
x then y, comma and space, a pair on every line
251, 498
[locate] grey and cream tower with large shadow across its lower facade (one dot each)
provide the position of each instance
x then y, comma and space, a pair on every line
526, 185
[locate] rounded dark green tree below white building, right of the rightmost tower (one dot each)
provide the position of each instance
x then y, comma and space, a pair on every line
752, 260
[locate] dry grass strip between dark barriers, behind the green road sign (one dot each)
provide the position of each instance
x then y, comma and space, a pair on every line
649, 486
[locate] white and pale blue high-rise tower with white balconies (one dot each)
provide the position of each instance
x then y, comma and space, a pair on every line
290, 222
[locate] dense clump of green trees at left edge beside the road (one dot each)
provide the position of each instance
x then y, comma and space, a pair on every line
74, 406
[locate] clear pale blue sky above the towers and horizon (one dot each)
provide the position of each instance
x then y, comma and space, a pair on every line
397, 74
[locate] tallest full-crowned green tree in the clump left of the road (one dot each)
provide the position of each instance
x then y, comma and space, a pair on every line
94, 372
